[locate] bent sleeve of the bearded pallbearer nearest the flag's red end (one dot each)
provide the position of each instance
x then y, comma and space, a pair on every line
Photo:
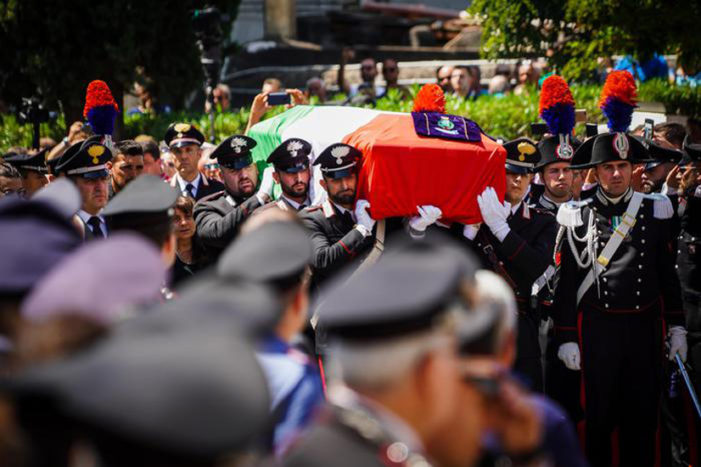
326, 254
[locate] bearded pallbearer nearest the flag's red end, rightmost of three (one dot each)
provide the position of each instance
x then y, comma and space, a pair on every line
341, 229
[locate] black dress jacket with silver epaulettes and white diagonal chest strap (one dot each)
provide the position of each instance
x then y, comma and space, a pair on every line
640, 277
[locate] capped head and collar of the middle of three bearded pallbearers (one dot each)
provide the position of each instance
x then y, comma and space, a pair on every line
291, 162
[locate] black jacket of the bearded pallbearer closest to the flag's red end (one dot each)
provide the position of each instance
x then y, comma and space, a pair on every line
335, 241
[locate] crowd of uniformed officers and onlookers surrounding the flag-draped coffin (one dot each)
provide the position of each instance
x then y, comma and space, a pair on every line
159, 305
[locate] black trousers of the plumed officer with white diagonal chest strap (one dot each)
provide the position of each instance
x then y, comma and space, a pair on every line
621, 361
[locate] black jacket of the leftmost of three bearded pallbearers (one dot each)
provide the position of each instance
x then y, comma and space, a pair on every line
218, 218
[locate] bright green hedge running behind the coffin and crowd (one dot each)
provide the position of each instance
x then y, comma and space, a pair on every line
508, 116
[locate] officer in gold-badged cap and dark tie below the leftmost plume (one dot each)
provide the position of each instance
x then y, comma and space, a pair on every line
85, 163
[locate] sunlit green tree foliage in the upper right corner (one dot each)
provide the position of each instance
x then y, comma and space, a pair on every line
575, 33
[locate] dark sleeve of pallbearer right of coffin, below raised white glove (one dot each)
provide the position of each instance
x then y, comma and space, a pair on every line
531, 259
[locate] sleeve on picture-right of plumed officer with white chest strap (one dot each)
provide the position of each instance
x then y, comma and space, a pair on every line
669, 280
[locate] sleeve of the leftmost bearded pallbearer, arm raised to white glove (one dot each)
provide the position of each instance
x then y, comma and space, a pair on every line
217, 230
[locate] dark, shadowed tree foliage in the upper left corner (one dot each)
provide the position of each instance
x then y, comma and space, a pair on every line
54, 48
